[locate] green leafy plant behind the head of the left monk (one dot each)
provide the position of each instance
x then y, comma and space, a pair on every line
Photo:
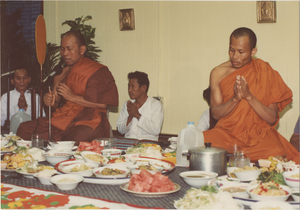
88, 32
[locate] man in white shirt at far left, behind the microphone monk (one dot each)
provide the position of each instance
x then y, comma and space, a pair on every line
20, 97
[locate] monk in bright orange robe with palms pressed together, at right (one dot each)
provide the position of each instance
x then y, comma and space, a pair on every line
246, 98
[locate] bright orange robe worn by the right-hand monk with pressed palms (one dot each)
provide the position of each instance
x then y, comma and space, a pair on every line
243, 126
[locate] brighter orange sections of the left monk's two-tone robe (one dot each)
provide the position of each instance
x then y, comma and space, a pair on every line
76, 81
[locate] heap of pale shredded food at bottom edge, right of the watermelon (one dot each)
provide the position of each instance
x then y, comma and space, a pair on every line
200, 199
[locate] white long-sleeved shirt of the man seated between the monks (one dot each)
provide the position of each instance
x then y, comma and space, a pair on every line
148, 126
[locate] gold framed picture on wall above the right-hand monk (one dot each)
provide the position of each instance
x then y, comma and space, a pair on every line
266, 11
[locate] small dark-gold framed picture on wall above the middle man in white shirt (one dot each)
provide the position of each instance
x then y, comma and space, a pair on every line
126, 19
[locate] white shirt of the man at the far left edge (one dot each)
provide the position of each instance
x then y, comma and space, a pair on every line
14, 108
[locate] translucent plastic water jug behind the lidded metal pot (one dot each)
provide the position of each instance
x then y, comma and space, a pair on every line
188, 137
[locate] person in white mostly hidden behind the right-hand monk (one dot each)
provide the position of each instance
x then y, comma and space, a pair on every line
206, 121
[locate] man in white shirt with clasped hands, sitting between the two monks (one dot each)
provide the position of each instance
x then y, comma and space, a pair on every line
141, 117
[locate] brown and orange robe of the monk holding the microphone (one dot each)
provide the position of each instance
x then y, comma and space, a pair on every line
96, 84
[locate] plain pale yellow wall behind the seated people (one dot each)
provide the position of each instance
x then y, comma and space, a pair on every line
178, 43
